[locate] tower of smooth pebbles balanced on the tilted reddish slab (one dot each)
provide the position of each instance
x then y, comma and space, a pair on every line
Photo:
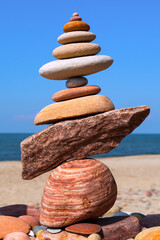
76, 59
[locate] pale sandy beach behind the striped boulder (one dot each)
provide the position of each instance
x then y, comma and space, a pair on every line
137, 178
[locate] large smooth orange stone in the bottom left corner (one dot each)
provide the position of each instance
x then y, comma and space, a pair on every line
12, 224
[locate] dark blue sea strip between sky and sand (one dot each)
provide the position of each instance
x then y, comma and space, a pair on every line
133, 144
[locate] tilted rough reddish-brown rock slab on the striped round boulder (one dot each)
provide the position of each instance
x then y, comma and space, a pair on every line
78, 138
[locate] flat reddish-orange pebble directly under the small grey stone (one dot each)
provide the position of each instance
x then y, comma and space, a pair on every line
71, 93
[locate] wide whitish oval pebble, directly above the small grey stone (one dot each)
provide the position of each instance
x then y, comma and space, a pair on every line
73, 67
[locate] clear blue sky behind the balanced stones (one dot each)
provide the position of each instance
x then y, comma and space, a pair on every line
128, 31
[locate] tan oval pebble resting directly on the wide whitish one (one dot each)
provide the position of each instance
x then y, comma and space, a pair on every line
76, 50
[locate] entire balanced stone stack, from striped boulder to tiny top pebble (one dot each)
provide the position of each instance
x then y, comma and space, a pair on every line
82, 124
